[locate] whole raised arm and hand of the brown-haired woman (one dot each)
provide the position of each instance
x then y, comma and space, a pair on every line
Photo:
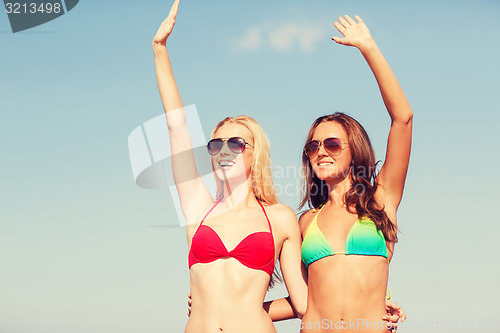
393, 173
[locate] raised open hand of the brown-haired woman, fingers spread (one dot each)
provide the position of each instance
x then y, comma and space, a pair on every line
355, 33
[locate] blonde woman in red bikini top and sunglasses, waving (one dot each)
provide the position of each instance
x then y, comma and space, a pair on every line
235, 238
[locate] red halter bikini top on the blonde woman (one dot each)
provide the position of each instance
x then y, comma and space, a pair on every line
255, 251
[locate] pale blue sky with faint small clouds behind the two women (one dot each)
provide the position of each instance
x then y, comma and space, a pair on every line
83, 249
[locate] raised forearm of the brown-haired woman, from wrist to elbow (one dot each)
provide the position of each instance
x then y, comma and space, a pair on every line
394, 98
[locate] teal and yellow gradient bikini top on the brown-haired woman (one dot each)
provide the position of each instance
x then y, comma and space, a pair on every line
363, 239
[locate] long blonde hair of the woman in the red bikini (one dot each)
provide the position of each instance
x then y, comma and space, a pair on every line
261, 174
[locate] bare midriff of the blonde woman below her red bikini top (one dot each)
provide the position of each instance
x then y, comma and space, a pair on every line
227, 297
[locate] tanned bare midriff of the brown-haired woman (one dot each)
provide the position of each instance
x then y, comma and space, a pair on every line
346, 294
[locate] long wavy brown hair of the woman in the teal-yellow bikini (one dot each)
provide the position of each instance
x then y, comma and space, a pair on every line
360, 197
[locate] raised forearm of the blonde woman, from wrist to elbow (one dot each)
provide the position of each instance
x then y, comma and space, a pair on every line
167, 87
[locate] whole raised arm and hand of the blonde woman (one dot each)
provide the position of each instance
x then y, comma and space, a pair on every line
193, 194
